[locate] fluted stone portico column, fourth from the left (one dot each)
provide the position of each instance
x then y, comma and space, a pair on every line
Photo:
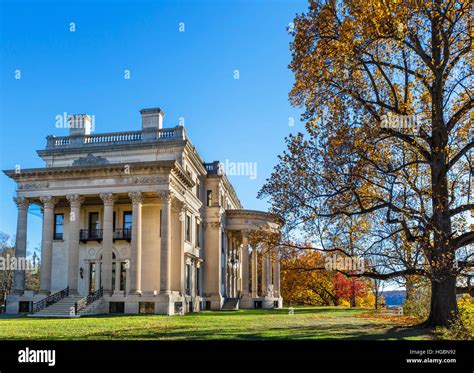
107, 241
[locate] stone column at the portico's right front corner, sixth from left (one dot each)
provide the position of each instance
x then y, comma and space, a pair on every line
165, 254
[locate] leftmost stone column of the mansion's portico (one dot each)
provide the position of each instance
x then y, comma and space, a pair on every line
20, 245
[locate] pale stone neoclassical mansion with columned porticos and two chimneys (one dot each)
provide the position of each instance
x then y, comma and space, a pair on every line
135, 222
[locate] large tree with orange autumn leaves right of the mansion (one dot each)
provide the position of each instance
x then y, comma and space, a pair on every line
387, 92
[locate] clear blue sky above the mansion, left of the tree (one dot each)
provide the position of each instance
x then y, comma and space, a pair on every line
73, 57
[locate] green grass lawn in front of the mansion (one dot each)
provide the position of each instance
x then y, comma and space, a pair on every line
306, 323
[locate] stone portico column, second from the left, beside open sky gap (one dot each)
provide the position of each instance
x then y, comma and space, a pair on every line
47, 243
